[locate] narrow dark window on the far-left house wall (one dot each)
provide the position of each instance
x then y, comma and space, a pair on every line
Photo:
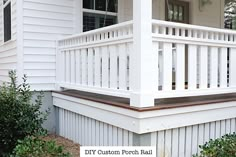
7, 20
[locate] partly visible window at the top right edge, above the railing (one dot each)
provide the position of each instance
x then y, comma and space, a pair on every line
230, 14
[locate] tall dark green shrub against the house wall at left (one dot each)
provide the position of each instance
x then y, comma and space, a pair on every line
19, 116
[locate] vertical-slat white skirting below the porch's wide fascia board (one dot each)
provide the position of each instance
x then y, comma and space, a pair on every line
177, 142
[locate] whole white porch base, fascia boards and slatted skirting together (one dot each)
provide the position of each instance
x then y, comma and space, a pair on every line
96, 124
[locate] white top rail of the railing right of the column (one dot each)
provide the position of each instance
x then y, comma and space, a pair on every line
189, 26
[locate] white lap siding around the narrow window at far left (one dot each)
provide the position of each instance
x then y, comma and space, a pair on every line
8, 55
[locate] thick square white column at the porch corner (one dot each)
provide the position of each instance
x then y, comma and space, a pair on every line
142, 63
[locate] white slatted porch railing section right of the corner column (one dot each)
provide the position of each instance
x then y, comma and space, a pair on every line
199, 60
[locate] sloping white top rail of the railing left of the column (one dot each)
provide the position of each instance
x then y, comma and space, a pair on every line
99, 30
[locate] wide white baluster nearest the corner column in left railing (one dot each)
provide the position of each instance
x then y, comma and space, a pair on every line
122, 67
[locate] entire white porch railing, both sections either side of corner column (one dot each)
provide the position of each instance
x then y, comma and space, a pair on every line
191, 60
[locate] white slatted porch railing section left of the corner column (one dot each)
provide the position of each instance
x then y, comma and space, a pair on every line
96, 61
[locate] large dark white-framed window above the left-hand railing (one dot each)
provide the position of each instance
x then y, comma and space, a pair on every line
99, 13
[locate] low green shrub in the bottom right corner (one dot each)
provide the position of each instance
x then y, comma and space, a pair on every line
221, 147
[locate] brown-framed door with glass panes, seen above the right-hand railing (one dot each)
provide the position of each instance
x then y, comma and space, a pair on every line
177, 11
